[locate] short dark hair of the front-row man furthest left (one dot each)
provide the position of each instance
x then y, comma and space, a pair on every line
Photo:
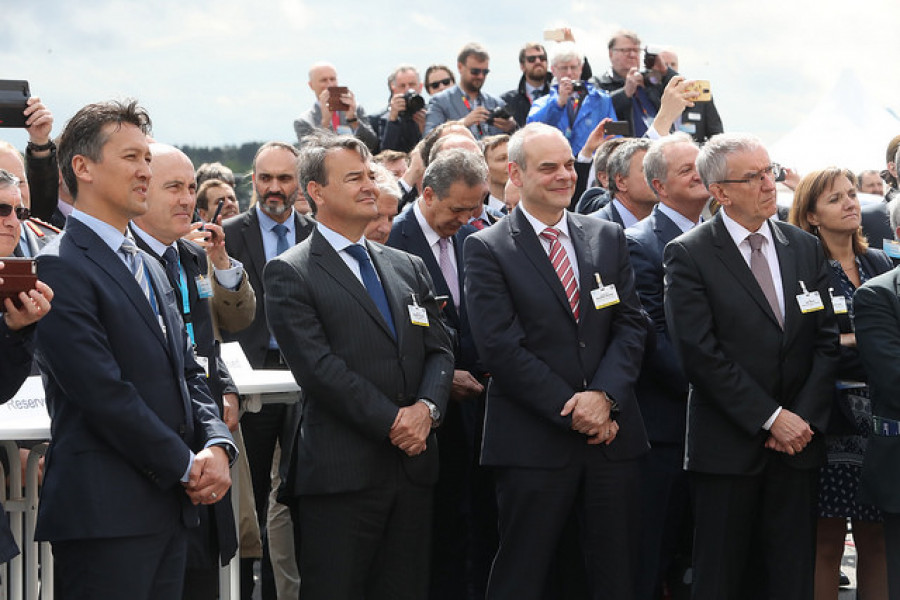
84, 135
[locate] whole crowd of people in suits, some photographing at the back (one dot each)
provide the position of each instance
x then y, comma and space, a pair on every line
537, 360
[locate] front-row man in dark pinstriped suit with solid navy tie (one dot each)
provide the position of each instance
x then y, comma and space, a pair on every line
358, 324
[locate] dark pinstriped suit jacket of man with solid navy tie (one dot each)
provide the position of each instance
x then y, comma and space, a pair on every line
354, 374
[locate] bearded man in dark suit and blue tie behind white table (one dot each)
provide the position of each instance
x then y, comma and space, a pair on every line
269, 227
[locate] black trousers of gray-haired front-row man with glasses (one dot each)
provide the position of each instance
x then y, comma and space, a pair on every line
755, 535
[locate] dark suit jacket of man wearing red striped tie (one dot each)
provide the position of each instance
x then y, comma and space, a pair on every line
537, 353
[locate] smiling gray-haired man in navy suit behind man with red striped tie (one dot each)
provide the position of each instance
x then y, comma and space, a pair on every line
662, 387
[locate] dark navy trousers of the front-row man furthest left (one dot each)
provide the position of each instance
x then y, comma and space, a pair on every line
147, 567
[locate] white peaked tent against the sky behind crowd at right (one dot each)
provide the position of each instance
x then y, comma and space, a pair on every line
848, 128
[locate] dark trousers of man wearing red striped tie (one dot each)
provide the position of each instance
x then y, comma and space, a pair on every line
534, 507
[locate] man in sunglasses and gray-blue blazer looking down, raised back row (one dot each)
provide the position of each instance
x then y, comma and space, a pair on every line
466, 102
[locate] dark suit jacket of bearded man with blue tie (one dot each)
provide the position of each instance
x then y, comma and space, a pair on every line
243, 241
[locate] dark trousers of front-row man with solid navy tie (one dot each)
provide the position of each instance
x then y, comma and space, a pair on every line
372, 544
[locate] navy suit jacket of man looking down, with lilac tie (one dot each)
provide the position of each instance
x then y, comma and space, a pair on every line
407, 235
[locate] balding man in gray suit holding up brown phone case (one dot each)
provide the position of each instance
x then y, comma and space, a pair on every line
352, 121
